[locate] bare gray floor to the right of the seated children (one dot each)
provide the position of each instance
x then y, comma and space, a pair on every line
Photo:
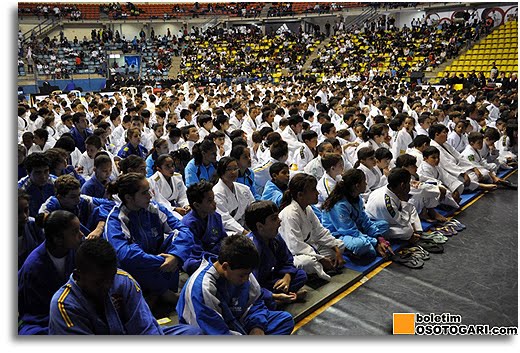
476, 277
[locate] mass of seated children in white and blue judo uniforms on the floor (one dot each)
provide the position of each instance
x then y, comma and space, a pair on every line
333, 165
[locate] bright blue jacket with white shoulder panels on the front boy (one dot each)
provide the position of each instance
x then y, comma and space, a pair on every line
217, 307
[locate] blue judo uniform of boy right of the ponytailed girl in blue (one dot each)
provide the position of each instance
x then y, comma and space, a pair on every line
207, 235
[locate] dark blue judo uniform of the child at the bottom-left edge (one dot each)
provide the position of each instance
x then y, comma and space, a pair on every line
38, 280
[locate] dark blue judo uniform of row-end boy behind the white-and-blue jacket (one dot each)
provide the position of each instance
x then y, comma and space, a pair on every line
276, 260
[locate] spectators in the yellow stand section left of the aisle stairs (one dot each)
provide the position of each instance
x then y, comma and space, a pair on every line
229, 53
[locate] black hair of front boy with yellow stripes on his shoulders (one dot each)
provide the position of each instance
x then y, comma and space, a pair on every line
94, 255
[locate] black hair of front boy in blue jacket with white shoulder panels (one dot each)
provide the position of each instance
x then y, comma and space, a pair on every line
239, 252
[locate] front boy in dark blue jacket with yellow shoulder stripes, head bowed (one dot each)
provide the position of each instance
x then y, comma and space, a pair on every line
97, 283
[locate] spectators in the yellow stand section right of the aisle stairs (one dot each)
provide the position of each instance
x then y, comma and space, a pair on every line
382, 50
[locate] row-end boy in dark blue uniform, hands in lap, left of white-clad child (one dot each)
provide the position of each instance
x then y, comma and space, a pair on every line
280, 280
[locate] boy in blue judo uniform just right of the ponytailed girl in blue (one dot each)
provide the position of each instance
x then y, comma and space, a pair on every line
204, 222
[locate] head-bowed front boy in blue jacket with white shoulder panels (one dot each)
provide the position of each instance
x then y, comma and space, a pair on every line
223, 297
